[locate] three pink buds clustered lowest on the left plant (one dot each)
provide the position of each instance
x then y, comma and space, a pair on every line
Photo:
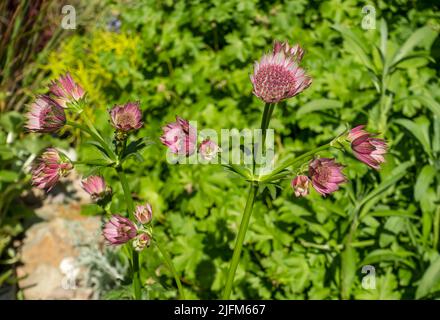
119, 230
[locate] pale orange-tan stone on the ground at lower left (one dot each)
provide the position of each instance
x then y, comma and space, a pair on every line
50, 266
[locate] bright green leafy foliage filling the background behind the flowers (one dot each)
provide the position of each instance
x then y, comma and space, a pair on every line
193, 59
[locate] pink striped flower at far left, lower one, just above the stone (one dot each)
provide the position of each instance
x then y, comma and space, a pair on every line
50, 167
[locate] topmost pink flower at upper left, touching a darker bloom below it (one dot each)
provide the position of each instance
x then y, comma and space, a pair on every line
66, 91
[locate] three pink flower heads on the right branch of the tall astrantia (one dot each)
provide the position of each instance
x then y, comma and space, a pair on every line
326, 175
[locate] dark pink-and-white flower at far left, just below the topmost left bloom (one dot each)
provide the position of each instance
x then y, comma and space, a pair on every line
45, 115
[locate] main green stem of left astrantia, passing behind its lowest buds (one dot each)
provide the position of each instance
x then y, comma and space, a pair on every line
134, 255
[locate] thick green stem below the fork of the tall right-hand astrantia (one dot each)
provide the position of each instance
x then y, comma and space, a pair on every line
240, 239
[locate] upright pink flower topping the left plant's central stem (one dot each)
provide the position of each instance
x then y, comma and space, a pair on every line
127, 117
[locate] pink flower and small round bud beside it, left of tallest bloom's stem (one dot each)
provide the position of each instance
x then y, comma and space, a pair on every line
181, 139
